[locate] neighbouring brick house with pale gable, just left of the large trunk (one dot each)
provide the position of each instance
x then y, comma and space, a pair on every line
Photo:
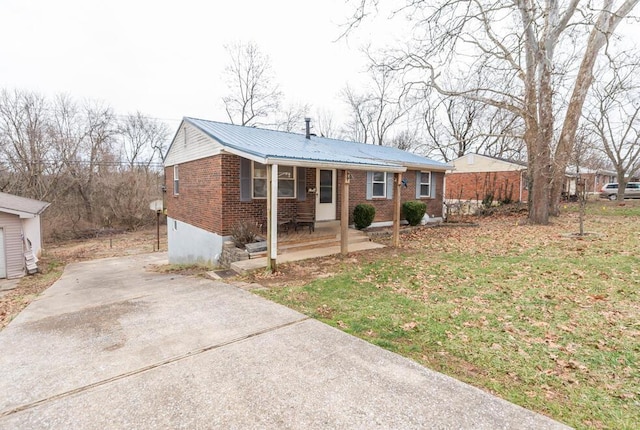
477, 177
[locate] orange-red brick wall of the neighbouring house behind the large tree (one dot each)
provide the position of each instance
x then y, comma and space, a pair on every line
475, 186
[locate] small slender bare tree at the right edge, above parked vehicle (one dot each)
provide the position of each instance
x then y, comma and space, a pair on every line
614, 117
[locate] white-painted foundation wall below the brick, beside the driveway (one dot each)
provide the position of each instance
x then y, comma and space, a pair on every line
190, 245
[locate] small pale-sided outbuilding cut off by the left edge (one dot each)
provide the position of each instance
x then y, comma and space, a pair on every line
20, 235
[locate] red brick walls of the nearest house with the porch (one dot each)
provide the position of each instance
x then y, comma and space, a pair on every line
210, 195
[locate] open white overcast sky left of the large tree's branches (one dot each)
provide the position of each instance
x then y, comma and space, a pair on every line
165, 58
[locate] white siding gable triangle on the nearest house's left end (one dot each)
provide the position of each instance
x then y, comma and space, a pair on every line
191, 144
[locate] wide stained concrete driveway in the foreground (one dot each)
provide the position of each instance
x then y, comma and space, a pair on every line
113, 345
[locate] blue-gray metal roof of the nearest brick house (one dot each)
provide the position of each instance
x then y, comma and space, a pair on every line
278, 146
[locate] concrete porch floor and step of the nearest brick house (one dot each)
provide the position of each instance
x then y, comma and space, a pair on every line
303, 245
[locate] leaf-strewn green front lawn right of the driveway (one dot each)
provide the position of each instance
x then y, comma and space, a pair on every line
538, 317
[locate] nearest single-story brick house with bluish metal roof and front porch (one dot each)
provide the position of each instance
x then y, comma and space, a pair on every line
219, 174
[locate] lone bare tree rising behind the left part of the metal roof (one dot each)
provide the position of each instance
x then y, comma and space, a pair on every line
253, 95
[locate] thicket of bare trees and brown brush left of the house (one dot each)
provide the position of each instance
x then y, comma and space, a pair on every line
63, 152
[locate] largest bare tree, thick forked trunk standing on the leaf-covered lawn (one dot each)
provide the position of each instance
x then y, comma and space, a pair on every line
520, 47
